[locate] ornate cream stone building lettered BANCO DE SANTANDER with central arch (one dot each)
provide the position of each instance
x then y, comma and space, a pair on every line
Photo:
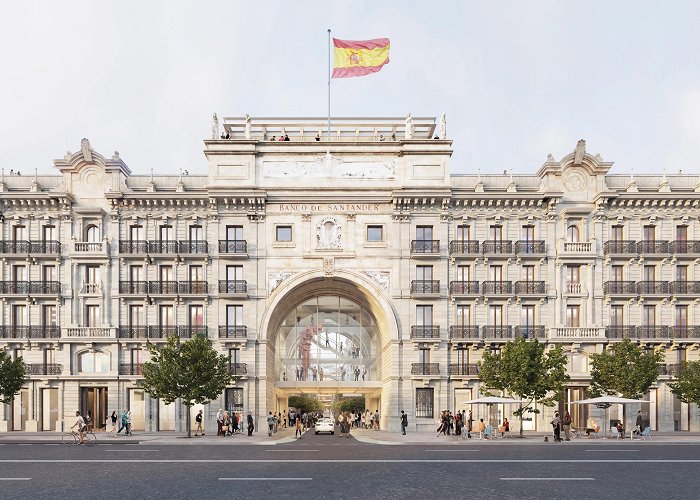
353, 263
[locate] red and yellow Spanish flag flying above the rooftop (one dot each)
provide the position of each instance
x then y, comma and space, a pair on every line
359, 57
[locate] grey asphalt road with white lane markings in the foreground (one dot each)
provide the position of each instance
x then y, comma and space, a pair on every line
332, 467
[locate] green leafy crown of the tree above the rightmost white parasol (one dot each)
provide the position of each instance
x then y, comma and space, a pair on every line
624, 368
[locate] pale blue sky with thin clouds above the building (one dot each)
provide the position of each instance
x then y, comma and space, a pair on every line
517, 80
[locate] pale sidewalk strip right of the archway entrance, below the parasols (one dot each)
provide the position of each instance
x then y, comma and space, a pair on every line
530, 438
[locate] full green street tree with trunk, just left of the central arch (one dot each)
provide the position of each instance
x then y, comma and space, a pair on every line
192, 371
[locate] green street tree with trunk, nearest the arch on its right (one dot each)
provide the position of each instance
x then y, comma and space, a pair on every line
527, 372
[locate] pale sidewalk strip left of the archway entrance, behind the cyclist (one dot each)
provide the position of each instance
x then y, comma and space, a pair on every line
156, 438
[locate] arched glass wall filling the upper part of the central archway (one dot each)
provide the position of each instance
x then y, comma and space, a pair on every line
328, 338
